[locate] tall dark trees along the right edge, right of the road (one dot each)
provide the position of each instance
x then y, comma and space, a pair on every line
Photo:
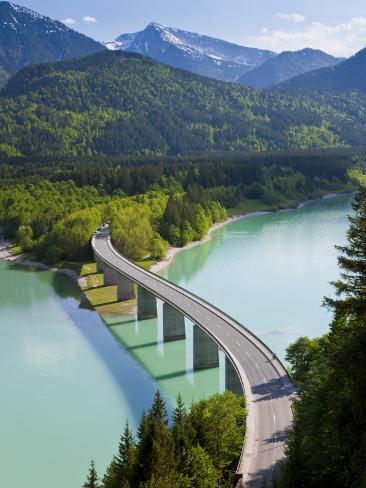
327, 447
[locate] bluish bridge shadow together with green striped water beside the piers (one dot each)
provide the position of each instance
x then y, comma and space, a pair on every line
161, 349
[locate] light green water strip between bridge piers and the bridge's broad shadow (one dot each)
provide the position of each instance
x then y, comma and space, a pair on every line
168, 360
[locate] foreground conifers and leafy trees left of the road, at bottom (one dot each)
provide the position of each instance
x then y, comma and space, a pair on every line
200, 448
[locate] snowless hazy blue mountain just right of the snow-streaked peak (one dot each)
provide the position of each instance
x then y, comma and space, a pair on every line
287, 65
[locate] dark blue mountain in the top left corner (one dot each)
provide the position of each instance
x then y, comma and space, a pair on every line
27, 37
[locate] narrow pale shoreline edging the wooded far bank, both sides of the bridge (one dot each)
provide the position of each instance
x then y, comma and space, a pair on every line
22, 259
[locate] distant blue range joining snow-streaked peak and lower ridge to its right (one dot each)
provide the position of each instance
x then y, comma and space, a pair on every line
220, 59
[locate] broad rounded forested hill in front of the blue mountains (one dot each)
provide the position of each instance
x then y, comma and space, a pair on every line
122, 103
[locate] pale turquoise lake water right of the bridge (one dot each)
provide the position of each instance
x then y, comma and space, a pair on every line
271, 272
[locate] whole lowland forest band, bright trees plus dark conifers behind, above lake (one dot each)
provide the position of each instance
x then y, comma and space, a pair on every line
53, 210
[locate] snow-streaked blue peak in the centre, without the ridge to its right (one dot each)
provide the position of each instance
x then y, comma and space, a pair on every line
194, 52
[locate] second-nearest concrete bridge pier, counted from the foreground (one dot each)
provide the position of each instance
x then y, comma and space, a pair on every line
205, 350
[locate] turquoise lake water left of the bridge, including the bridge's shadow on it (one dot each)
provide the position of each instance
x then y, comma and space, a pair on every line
68, 386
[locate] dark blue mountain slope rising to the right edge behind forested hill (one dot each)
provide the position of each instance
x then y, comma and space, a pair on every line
348, 75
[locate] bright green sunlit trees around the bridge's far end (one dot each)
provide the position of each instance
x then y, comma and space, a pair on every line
57, 220
